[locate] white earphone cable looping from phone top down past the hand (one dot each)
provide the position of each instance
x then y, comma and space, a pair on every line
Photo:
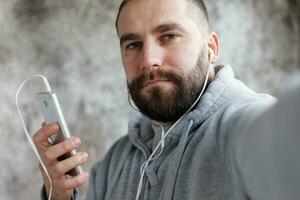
48, 89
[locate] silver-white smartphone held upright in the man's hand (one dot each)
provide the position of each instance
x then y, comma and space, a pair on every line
52, 112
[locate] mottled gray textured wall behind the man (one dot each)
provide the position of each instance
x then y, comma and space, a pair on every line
74, 44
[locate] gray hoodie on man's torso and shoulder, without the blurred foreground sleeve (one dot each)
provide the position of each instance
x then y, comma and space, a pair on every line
196, 162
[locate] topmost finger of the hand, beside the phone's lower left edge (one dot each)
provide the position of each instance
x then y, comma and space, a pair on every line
41, 137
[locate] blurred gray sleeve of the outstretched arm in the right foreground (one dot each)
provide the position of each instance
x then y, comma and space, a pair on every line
266, 153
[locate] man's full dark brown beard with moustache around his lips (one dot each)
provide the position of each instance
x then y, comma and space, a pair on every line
164, 105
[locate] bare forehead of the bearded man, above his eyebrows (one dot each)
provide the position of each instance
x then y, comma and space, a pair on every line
145, 15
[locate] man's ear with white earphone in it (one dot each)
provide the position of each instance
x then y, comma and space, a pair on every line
213, 48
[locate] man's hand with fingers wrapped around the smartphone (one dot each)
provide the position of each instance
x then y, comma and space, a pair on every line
63, 184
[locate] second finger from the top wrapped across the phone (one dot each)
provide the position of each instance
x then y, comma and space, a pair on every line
55, 151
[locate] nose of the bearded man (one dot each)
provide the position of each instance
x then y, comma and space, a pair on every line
152, 56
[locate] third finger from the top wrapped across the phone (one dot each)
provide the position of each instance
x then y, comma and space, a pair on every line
66, 165
